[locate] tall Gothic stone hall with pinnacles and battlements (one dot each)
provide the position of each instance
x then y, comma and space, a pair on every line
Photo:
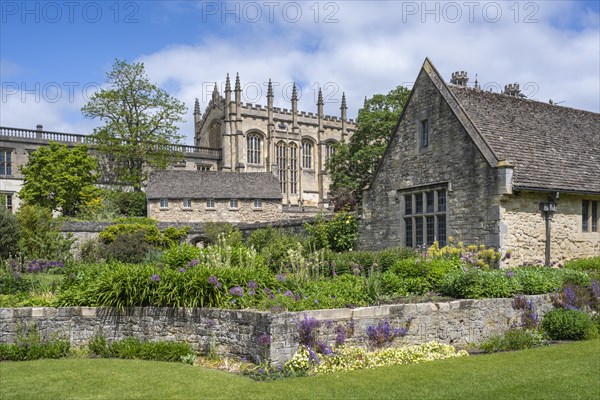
291, 144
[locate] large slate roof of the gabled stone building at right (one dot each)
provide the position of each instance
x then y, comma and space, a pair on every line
551, 147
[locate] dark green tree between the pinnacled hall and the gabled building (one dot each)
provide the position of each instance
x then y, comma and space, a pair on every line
353, 165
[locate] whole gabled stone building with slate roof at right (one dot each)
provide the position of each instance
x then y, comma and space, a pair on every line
487, 168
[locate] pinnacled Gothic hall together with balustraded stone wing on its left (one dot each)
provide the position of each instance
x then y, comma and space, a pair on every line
229, 137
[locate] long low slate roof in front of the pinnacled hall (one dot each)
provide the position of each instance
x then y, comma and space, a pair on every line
213, 185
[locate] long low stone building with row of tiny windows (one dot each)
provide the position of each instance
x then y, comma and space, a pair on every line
205, 196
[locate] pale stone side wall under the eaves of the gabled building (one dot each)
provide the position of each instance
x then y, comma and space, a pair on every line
524, 229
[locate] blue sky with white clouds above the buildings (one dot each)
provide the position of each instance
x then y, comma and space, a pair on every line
55, 54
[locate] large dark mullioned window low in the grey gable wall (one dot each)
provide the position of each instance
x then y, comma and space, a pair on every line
425, 217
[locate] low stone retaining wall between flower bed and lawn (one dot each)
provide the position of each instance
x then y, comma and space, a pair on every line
236, 332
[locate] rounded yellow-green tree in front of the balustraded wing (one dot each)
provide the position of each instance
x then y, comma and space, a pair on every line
60, 178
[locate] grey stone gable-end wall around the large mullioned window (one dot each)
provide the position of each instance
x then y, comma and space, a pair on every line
450, 161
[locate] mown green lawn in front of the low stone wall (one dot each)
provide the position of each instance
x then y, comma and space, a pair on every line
565, 371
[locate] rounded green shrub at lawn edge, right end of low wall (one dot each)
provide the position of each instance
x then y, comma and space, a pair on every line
565, 324
